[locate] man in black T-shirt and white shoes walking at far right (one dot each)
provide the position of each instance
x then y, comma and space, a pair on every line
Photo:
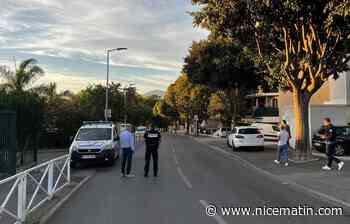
330, 136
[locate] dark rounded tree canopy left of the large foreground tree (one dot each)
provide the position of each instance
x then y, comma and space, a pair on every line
220, 64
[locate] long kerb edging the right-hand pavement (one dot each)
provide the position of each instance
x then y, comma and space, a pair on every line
300, 187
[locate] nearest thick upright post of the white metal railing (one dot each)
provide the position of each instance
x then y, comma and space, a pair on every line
21, 201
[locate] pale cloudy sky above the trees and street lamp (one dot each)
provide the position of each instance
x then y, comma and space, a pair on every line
69, 39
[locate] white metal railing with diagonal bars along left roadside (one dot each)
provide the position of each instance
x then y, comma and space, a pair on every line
55, 174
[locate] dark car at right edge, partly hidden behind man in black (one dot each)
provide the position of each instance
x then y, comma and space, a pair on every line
343, 140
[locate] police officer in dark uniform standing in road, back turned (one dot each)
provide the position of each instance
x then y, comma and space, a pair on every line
152, 140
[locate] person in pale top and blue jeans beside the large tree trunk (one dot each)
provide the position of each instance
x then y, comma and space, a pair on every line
282, 146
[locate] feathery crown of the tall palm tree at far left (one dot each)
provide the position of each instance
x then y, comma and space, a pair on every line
20, 80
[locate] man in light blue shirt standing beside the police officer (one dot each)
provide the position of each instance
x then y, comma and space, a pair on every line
128, 148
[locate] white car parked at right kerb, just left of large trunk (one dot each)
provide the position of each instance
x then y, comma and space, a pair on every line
245, 136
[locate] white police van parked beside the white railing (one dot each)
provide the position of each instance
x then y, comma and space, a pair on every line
95, 141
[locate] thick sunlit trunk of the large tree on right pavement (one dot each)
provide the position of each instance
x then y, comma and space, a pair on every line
302, 129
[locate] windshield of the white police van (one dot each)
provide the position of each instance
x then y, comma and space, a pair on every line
94, 134
